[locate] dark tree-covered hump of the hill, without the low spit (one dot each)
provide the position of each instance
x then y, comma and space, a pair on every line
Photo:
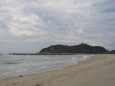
81, 48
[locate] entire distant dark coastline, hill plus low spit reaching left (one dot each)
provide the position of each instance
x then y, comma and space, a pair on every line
70, 50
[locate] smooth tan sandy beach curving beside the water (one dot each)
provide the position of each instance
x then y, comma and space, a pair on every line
98, 71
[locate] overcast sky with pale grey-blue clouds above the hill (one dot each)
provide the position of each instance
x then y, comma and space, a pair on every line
30, 25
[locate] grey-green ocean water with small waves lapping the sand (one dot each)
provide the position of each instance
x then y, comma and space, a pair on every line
16, 65
